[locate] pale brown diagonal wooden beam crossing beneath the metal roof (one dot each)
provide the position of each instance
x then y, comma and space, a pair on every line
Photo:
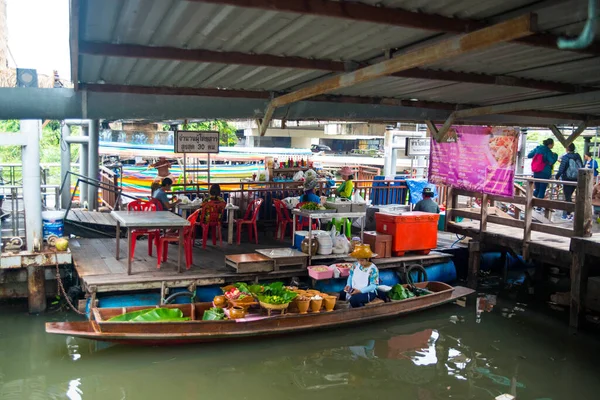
515, 28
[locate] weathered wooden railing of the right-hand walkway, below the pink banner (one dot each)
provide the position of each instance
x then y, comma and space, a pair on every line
582, 225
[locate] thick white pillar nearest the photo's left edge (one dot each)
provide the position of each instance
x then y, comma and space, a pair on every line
30, 155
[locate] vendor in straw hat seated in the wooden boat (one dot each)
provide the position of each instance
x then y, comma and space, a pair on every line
361, 287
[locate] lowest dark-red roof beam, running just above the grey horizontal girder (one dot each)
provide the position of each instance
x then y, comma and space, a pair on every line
248, 94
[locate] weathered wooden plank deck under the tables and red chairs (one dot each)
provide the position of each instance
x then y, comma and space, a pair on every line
95, 263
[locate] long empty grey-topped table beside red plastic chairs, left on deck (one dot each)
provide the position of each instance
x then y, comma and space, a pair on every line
148, 220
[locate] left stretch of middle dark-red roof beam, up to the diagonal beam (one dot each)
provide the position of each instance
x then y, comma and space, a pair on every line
207, 56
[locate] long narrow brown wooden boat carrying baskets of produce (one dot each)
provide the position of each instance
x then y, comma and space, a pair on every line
197, 330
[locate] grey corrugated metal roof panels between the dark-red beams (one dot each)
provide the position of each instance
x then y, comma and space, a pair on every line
196, 25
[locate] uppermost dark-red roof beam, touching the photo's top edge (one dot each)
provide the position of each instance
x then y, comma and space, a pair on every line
391, 16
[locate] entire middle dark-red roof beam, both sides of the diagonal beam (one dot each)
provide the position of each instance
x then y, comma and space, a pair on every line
265, 60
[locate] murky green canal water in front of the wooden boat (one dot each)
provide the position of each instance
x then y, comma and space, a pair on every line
451, 352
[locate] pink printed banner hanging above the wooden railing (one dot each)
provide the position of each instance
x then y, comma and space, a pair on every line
477, 158
